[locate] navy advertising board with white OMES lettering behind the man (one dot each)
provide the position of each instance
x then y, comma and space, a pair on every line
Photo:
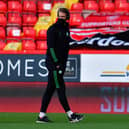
31, 68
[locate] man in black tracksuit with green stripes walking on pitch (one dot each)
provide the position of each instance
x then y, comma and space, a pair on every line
58, 39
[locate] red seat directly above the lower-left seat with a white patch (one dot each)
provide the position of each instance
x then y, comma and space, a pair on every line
14, 19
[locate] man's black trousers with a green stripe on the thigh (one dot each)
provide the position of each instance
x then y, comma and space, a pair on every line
55, 82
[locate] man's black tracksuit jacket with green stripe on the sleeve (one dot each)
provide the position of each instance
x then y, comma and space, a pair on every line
58, 38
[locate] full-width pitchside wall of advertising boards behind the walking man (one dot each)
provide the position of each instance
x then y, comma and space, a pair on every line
101, 85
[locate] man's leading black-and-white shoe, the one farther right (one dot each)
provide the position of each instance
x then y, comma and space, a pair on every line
75, 118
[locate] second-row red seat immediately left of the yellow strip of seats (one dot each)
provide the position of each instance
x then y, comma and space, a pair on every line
29, 20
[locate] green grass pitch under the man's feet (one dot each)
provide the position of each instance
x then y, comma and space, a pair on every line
60, 121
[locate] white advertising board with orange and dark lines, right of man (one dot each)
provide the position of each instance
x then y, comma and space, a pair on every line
104, 68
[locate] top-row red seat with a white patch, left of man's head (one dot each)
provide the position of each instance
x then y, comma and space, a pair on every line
44, 6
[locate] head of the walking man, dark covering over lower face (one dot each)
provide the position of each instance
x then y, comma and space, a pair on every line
63, 13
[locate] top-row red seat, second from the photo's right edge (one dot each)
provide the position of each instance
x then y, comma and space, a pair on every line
106, 6
